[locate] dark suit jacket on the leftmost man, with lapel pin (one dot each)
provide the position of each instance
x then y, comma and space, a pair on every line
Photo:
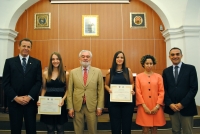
18, 83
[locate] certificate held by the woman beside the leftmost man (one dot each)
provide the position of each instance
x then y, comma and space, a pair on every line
49, 105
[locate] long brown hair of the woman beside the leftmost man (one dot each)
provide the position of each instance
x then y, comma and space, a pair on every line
61, 71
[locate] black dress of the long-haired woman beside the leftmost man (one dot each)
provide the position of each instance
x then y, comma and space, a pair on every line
55, 88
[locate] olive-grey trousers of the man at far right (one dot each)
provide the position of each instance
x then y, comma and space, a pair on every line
178, 121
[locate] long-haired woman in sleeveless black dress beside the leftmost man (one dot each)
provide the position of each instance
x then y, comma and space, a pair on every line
55, 81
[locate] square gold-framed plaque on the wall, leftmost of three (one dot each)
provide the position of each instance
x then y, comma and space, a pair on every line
42, 21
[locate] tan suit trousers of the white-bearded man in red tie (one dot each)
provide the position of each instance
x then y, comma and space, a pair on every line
79, 121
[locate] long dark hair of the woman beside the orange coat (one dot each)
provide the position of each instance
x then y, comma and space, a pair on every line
114, 66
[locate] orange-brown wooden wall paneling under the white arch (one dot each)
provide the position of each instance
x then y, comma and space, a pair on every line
65, 35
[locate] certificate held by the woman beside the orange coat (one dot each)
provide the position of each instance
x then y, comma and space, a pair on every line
121, 93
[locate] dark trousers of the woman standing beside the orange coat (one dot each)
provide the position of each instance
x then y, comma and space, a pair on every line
121, 117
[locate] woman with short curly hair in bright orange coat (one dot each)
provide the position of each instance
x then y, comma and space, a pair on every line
149, 97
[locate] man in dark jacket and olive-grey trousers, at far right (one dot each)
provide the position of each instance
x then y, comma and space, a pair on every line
181, 86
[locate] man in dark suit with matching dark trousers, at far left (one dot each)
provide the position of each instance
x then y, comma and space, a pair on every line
22, 79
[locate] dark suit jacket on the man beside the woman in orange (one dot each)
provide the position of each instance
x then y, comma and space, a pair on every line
183, 92
